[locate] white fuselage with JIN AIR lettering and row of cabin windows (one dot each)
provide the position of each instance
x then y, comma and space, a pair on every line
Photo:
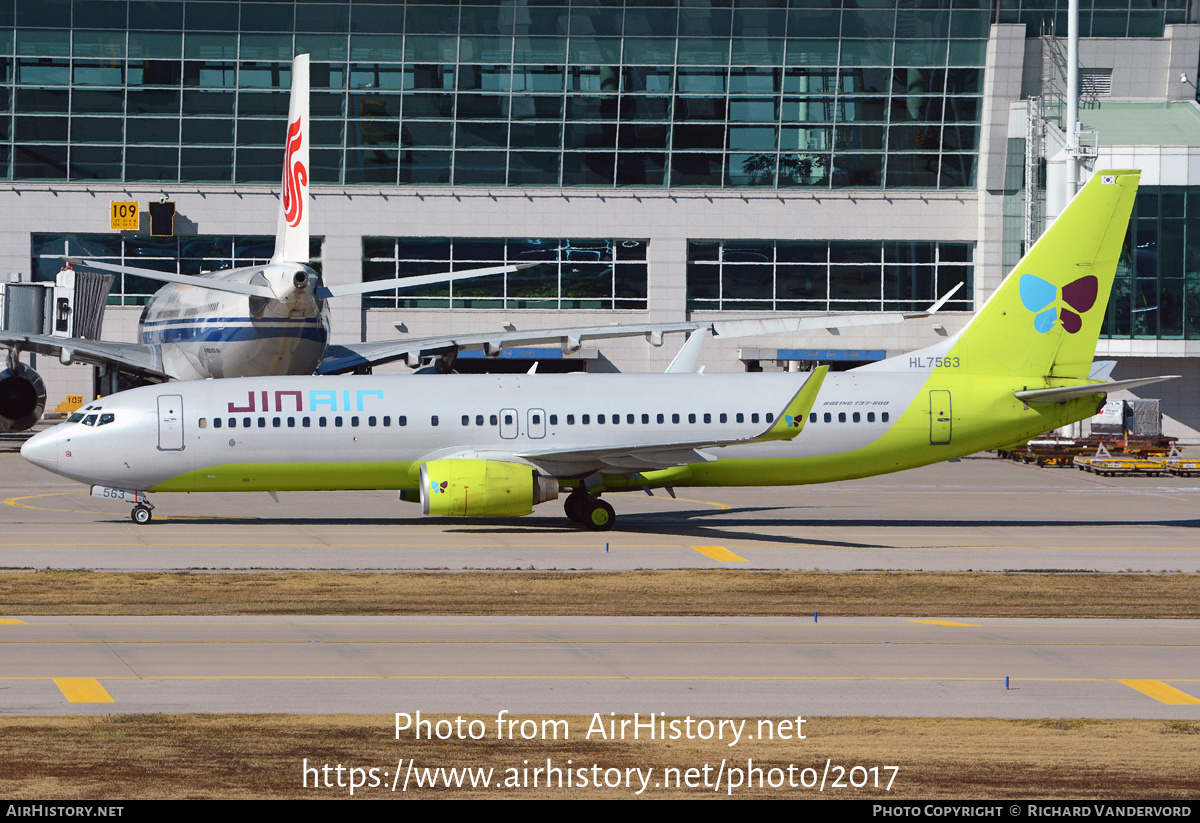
161, 434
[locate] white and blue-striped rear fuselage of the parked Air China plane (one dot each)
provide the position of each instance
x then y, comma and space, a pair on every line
205, 333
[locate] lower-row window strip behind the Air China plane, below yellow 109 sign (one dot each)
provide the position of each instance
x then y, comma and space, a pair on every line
182, 255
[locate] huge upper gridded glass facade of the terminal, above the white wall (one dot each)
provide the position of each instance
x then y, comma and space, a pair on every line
622, 94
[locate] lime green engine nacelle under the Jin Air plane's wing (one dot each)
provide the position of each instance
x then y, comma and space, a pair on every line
466, 488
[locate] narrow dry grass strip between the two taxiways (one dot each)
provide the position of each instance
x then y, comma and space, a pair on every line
638, 593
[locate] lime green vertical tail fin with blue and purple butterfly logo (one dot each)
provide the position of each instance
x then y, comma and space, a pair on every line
1045, 320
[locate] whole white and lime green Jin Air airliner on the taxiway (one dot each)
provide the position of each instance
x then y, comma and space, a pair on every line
499, 446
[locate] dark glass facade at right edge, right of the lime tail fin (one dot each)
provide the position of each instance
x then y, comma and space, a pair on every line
1157, 291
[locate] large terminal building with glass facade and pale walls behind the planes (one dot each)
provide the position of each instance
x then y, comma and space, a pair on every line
664, 160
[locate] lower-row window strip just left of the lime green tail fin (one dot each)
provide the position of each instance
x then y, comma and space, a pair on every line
827, 277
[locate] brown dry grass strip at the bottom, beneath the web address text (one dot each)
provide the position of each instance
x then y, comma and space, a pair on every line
262, 756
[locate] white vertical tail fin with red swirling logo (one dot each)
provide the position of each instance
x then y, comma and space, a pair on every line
292, 233
